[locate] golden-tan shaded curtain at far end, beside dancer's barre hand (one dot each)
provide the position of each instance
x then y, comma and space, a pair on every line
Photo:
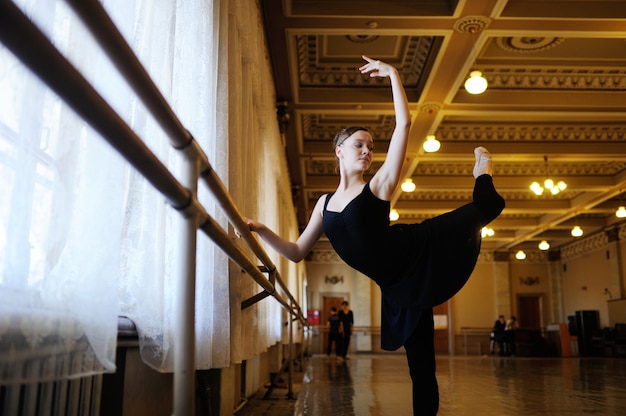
257, 170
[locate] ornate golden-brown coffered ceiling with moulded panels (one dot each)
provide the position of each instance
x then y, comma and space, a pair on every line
557, 89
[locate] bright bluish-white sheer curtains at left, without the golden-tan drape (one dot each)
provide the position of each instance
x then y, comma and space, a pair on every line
83, 237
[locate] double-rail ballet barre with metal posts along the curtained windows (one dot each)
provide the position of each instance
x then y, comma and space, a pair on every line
34, 49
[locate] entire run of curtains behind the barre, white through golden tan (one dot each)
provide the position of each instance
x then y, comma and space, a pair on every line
84, 238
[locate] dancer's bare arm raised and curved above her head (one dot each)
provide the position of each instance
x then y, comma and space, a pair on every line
386, 179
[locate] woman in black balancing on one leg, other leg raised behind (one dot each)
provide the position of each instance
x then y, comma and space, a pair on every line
417, 266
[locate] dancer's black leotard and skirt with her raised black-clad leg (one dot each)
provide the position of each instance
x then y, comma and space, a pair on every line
416, 265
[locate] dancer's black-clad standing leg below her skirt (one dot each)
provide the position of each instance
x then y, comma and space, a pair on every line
420, 353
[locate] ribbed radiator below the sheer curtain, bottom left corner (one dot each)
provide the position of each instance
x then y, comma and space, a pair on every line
80, 397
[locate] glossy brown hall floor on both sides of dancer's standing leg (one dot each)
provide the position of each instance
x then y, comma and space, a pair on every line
379, 384
